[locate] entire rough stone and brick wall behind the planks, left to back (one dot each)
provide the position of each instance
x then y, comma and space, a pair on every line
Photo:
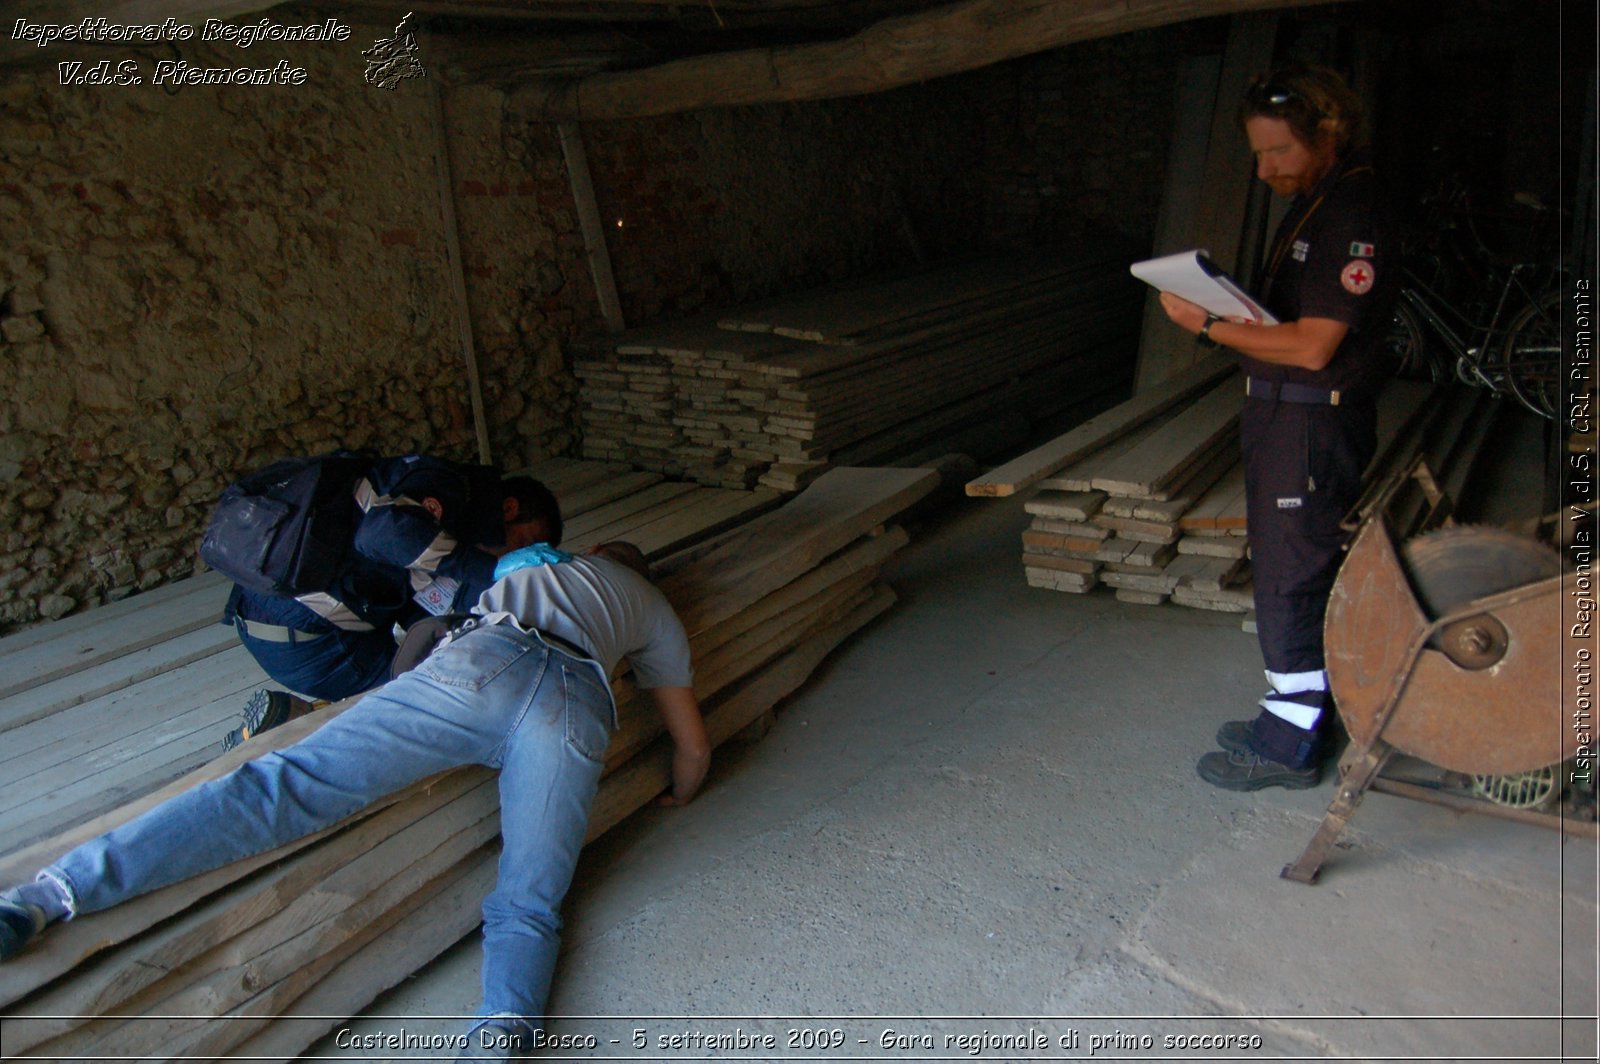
199, 282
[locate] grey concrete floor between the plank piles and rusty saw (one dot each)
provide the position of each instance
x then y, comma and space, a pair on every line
983, 817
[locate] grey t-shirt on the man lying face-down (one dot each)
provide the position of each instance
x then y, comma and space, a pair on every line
602, 607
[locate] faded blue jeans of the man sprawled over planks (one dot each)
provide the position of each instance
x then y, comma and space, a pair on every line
494, 697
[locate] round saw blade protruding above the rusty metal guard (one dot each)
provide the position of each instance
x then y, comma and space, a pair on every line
1452, 567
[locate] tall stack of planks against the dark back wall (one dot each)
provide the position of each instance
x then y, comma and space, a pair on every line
860, 375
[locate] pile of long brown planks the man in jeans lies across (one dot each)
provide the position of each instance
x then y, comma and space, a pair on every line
263, 958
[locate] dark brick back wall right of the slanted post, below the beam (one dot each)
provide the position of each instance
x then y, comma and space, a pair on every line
729, 206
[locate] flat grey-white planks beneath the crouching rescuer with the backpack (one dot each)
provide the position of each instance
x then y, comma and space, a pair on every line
105, 706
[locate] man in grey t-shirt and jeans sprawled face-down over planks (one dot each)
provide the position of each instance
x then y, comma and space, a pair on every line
522, 689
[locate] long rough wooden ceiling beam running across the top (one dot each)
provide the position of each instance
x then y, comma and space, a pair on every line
897, 52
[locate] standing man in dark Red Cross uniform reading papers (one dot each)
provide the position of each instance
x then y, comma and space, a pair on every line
1310, 426
